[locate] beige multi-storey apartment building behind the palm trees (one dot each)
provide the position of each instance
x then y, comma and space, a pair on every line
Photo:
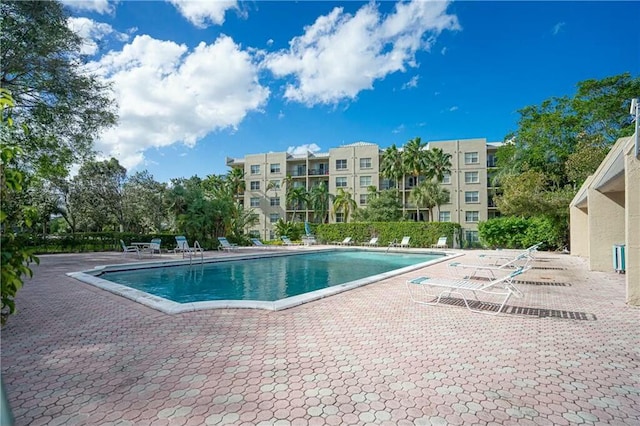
356, 168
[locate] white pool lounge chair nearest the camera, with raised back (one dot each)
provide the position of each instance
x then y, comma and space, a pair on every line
502, 287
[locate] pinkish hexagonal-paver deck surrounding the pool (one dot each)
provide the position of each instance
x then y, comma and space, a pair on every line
76, 354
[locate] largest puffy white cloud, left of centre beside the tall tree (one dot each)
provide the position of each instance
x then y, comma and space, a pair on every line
167, 94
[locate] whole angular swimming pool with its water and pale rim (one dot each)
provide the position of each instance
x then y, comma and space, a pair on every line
269, 281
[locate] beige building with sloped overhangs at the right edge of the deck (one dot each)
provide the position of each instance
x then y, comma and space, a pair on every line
605, 215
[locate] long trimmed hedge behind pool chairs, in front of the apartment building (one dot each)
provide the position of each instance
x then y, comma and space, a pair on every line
423, 234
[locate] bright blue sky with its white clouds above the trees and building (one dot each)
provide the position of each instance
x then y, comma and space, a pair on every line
200, 81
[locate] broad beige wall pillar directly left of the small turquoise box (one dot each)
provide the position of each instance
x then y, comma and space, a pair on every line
606, 227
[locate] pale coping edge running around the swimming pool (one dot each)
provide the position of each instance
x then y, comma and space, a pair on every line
170, 307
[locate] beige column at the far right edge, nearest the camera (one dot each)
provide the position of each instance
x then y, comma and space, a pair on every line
632, 243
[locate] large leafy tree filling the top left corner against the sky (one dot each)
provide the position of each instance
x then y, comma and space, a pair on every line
62, 105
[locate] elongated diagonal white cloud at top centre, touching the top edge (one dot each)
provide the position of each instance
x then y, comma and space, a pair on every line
342, 54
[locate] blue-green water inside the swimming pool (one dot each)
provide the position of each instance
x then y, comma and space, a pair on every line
262, 279
